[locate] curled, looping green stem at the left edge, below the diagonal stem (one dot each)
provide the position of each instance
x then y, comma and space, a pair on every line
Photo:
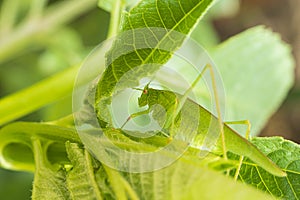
23, 133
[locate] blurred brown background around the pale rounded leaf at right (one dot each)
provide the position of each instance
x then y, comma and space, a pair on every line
282, 16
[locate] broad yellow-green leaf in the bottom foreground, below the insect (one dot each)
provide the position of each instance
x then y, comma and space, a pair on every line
186, 180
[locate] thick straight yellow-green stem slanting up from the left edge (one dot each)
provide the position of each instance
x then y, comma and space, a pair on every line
50, 89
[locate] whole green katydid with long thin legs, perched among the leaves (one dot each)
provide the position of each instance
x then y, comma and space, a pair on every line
172, 105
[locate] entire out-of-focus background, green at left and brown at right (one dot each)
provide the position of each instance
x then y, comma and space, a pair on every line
52, 49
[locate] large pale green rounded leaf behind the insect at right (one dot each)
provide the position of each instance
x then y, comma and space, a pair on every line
257, 69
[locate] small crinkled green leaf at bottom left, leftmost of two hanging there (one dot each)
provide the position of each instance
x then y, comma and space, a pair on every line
49, 182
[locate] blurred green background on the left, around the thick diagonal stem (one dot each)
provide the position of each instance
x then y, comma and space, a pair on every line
44, 54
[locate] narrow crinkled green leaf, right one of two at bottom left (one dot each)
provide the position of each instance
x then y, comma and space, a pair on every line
81, 181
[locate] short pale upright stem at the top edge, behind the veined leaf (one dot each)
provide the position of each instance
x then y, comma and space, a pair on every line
115, 18
